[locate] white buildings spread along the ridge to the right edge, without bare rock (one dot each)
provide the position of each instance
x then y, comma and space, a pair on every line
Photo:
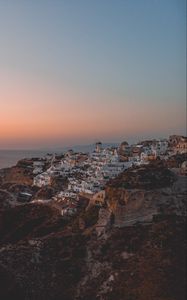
88, 173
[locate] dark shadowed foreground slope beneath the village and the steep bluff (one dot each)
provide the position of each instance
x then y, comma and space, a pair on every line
44, 257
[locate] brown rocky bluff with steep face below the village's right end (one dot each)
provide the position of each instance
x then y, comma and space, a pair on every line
139, 194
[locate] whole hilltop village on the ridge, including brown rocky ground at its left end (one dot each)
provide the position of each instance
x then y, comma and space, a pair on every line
65, 179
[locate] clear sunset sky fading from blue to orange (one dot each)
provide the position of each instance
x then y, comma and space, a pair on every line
76, 71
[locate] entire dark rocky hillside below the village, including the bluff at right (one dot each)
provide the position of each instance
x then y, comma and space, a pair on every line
132, 248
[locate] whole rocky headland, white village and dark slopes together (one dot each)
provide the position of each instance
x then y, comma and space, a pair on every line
106, 225
